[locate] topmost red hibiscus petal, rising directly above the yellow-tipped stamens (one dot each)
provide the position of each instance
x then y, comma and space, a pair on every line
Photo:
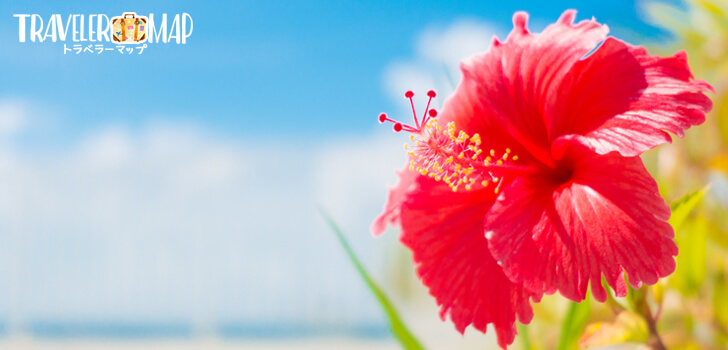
513, 79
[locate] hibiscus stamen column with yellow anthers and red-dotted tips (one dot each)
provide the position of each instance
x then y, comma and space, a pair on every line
452, 156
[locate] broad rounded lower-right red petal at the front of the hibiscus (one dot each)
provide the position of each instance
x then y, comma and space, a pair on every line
608, 218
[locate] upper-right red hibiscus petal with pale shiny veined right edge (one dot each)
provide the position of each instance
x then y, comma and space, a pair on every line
622, 99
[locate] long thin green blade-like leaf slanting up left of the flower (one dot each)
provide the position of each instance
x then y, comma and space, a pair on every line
398, 328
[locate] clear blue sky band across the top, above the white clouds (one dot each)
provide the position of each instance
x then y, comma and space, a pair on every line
275, 67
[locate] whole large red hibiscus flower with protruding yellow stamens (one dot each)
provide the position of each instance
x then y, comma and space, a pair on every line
529, 180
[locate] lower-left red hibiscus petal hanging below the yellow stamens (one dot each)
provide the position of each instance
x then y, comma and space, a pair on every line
444, 230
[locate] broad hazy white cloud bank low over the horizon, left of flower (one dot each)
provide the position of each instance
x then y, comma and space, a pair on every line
169, 223
